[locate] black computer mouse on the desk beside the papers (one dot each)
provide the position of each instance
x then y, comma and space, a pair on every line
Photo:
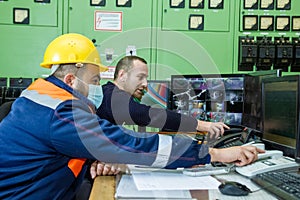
234, 188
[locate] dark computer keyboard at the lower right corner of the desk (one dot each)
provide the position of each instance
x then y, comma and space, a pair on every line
282, 184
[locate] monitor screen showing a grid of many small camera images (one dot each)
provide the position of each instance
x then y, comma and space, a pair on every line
209, 97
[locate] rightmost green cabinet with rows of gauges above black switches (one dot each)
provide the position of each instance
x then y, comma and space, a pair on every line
273, 27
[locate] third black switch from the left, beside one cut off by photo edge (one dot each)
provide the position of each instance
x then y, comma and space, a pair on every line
284, 53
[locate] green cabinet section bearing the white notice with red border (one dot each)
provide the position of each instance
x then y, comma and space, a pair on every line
117, 28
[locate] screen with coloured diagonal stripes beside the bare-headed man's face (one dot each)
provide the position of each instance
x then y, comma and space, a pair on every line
157, 94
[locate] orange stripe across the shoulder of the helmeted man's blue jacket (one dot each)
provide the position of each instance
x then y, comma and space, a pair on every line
45, 87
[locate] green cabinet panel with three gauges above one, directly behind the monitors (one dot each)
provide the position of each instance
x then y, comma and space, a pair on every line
195, 37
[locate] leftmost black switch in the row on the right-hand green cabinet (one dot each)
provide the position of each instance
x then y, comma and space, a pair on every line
247, 53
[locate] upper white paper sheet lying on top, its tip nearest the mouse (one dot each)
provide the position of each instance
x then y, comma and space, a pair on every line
172, 181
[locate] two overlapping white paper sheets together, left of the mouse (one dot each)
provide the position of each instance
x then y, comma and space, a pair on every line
160, 184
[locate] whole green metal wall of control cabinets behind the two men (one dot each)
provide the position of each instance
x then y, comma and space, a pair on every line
175, 38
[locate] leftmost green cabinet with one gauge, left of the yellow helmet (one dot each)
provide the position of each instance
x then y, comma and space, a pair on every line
27, 27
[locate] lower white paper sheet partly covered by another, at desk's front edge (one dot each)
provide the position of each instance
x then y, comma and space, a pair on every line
127, 190
